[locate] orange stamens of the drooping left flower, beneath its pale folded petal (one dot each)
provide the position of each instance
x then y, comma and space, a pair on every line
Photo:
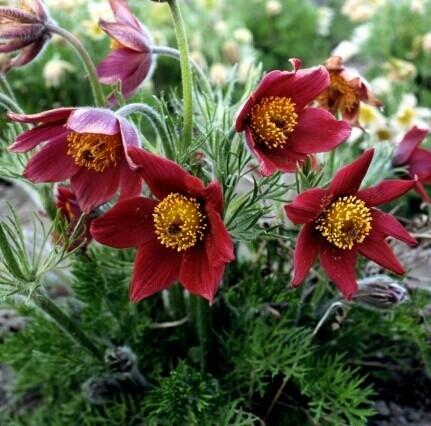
94, 151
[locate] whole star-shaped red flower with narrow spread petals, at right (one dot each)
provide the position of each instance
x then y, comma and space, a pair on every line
342, 221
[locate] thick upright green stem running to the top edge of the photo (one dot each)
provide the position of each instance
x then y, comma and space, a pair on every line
186, 73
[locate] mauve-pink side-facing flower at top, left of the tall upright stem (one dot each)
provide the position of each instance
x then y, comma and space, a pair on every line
131, 60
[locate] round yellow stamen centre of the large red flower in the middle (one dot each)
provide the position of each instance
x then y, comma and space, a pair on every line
178, 221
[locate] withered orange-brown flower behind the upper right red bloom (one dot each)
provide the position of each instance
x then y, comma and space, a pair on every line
346, 91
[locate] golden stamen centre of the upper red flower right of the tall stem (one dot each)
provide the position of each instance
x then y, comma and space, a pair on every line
272, 119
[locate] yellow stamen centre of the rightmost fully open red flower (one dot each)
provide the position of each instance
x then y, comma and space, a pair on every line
345, 222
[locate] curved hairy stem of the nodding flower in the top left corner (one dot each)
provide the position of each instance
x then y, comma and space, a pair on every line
82, 52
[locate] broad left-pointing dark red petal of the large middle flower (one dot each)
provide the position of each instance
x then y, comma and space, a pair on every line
128, 224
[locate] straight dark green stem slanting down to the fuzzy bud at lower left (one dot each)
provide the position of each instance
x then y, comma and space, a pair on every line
66, 324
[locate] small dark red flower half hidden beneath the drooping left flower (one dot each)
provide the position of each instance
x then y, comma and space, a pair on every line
69, 208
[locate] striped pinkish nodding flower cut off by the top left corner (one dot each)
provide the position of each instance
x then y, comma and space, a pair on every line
23, 29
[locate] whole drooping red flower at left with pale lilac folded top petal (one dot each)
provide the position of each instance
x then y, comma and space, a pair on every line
87, 145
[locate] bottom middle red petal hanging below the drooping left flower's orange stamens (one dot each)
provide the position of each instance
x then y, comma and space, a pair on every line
94, 188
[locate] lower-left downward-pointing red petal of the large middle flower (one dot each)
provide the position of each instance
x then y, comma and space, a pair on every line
156, 268
